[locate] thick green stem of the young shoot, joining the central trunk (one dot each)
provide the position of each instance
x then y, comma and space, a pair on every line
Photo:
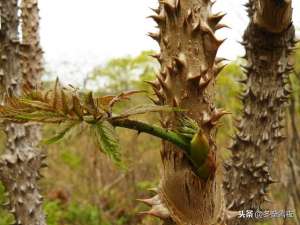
159, 132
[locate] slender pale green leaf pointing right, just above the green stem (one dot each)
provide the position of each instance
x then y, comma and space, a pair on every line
141, 109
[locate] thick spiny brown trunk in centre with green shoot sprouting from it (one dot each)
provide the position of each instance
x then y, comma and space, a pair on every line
188, 71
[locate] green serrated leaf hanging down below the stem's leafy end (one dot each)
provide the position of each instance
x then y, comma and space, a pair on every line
108, 141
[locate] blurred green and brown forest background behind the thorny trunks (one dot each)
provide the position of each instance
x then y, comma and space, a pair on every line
82, 187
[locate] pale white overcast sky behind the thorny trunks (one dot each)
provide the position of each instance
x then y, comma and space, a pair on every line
77, 35
